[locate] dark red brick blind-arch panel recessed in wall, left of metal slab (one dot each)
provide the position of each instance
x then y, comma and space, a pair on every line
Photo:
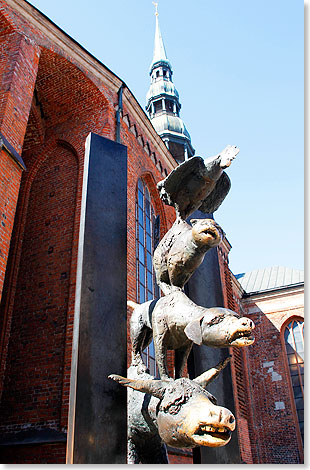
34, 368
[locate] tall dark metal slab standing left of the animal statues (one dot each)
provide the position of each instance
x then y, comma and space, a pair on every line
97, 432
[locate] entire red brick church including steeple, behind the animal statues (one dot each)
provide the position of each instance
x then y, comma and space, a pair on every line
53, 95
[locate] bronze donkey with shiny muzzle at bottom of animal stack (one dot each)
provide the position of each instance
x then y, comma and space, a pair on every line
180, 413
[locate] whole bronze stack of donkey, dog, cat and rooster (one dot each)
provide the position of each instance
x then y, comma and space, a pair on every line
178, 411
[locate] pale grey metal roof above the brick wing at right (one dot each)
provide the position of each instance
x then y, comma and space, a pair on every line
270, 278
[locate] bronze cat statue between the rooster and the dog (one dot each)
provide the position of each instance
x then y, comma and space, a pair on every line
182, 250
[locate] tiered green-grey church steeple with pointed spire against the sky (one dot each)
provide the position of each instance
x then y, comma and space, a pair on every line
163, 105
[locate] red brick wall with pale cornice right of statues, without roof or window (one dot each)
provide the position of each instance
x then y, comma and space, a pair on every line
260, 375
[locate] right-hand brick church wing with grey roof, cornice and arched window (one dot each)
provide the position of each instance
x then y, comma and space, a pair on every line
268, 376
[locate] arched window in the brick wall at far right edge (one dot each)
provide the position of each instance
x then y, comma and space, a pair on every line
294, 343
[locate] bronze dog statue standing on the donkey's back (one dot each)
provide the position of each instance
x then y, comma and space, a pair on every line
175, 322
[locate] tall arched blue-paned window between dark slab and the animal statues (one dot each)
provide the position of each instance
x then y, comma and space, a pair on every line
147, 288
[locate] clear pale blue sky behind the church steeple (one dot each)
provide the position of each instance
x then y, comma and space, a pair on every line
238, 67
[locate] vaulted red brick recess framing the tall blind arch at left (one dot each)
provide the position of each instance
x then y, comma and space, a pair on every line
50, 122
